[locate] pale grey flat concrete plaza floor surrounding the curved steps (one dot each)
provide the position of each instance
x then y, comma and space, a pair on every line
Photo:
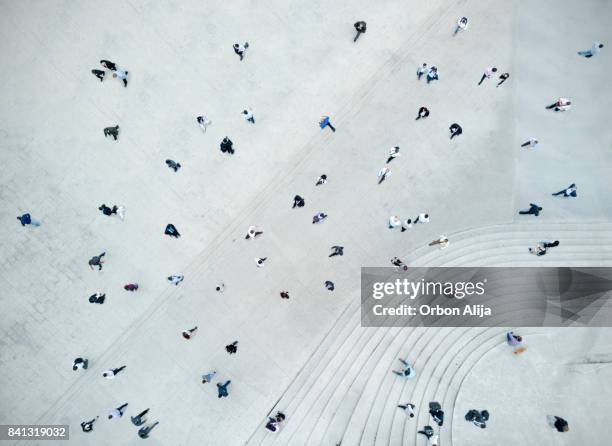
301, 64
